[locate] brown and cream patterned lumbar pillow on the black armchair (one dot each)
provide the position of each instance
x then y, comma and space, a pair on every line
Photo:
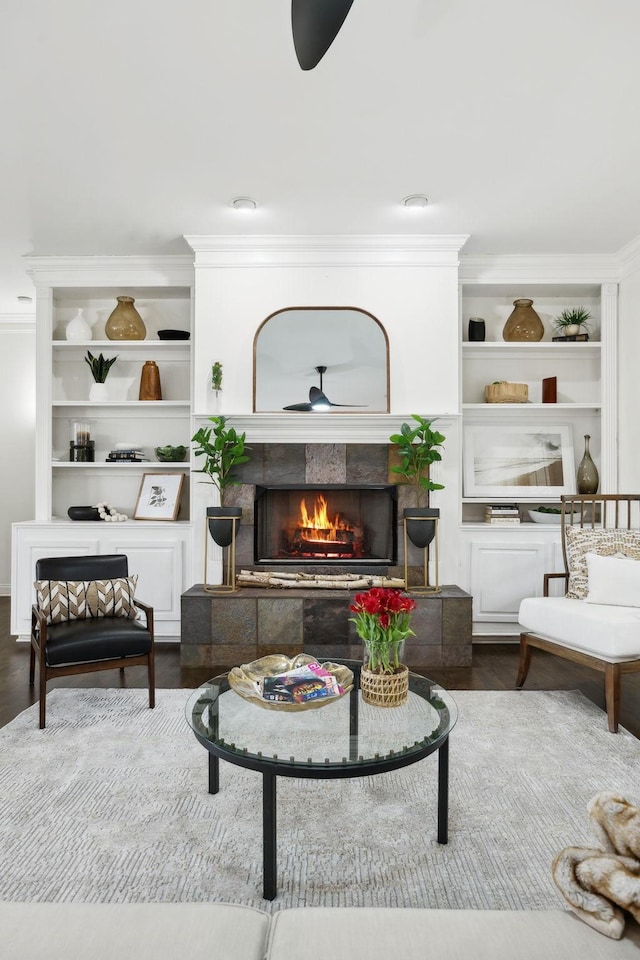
80, 599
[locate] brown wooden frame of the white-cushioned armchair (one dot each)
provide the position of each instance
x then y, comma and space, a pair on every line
613, 511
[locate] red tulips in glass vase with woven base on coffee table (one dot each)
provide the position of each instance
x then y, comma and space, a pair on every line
382, 617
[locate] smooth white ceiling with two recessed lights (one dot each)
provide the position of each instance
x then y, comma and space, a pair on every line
131, 123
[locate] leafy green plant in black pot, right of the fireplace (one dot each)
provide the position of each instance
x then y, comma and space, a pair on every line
417, 448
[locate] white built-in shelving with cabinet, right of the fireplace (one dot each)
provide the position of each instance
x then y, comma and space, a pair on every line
504, 563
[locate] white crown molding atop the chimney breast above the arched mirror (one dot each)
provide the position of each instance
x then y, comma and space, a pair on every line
324, 250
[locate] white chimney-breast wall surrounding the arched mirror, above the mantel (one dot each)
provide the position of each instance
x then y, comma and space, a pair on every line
409, 284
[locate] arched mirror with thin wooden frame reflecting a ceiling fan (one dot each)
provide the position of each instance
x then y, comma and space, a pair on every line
330, 359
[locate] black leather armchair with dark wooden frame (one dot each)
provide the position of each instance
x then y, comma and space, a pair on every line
85, 646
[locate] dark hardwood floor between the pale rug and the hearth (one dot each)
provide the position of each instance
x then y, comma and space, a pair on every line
494, 668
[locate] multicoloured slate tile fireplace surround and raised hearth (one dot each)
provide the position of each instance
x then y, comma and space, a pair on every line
223, 630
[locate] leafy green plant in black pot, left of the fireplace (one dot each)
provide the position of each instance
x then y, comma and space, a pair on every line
223, 450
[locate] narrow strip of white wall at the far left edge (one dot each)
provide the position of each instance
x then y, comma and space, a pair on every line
17, 406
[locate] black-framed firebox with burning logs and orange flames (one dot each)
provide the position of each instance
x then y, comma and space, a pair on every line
326, 524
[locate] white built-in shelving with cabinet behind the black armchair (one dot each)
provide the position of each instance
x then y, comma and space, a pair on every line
160, 552
